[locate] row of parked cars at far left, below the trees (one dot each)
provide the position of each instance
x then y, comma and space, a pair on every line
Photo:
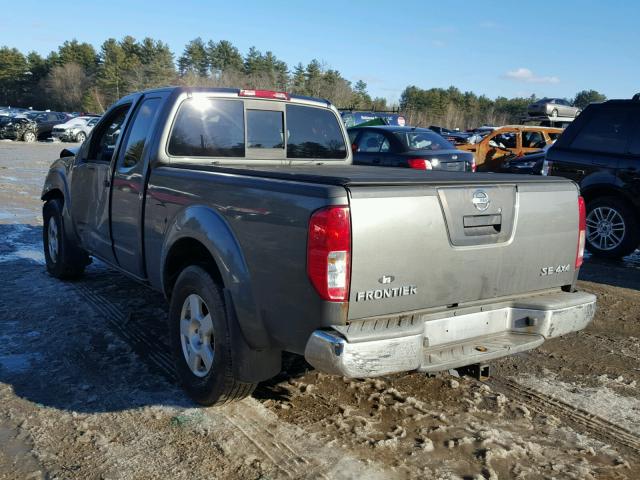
30, 126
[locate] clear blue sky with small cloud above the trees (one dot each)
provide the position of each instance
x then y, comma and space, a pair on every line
550, 48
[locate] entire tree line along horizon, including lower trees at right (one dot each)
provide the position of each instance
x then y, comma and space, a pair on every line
77, 77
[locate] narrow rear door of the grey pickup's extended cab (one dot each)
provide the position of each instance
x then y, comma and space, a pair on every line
127, 193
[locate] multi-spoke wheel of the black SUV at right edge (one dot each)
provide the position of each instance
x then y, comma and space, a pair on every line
612, 228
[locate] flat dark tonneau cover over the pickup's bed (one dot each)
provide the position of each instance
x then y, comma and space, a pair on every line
355, 175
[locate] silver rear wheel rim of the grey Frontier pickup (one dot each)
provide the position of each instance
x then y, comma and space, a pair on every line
196, 334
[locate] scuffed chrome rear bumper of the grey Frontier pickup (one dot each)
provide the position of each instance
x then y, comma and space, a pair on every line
455, 341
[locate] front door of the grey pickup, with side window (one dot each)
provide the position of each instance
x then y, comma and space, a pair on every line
90, 184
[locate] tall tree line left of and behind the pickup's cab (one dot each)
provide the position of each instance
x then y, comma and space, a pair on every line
76, 77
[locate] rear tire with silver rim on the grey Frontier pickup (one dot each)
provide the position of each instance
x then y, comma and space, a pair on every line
200, 340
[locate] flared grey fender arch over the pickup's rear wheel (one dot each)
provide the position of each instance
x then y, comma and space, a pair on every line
210, 229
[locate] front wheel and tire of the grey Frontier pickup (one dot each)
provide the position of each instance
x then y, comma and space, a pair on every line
63, 258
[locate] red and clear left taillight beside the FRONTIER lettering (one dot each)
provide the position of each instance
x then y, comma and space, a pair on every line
329, 252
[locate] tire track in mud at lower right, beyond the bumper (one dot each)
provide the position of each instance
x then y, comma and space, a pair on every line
547, 404
